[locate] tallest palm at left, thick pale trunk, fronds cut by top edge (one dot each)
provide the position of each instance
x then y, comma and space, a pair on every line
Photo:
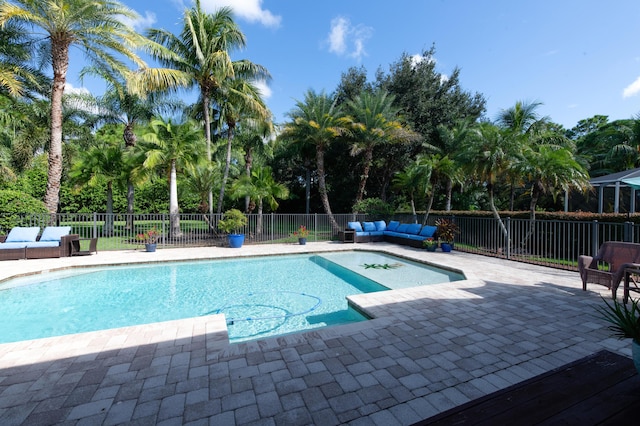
97, 27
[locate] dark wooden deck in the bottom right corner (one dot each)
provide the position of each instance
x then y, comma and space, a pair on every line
603, 388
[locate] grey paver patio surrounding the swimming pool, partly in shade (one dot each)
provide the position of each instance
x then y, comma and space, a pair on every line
428, 349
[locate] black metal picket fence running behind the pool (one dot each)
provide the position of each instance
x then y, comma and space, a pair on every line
555, 243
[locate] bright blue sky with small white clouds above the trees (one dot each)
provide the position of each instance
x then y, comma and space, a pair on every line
578, 58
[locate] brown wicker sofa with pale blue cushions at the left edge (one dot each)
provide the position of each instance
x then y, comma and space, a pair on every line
24, 243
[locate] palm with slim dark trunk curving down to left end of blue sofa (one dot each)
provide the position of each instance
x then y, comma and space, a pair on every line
319, 122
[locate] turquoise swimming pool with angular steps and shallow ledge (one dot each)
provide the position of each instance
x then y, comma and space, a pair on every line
259, 297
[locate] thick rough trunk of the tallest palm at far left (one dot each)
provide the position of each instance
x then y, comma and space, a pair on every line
60, 61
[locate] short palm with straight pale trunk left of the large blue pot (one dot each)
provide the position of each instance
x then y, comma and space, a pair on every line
172, 147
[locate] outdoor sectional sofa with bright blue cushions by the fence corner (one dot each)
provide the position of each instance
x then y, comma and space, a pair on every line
408, 234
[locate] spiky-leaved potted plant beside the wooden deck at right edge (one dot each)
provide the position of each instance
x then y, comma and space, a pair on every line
625, 323
